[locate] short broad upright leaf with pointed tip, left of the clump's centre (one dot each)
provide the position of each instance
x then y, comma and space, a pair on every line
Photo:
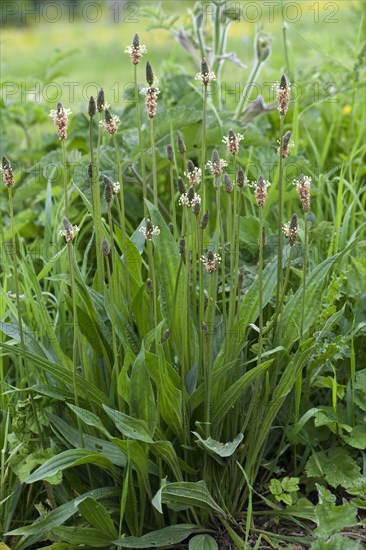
141, 395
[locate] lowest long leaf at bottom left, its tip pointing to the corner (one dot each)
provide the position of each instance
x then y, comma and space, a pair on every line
63, 513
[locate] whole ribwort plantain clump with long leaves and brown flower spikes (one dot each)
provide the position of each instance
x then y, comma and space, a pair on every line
168, 415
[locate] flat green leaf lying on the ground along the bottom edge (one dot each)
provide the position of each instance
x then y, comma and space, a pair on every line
162, 537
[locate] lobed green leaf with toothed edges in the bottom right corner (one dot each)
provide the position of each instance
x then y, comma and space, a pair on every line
330, 518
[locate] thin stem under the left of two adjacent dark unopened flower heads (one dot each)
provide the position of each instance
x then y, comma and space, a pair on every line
97, 213
